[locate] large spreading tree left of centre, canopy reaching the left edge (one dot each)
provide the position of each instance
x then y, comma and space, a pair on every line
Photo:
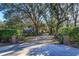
25, 11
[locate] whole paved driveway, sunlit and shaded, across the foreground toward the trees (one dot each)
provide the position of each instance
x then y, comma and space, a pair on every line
38, 47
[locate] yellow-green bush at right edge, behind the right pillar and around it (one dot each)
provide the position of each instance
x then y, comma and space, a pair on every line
72, 33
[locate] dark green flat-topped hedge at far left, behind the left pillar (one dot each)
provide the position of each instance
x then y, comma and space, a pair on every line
6, 34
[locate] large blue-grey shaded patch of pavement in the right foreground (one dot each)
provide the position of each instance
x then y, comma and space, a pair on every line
54, 50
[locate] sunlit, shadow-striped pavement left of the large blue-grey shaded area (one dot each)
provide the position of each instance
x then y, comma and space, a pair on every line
18, 49
